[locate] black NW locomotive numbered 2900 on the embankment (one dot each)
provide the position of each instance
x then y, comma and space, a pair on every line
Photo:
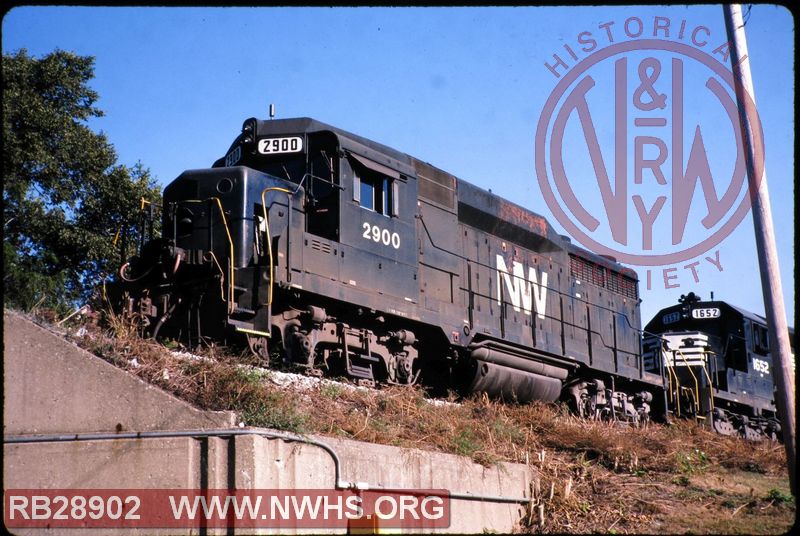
360, 260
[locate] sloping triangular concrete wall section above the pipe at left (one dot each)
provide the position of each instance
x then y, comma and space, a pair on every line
52, 386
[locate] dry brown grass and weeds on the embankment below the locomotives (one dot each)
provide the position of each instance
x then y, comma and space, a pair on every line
593, 476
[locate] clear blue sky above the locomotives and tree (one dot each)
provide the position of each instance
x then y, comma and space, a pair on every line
462, 88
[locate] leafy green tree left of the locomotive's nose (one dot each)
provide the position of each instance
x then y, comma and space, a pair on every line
65, 197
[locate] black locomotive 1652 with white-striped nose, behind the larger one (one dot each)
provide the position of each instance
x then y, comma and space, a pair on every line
717, 366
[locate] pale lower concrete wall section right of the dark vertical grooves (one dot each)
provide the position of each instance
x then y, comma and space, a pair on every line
292, 465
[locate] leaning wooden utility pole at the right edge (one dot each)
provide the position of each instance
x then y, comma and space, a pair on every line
780, 348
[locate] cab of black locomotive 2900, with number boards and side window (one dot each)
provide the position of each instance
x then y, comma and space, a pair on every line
359, 204
